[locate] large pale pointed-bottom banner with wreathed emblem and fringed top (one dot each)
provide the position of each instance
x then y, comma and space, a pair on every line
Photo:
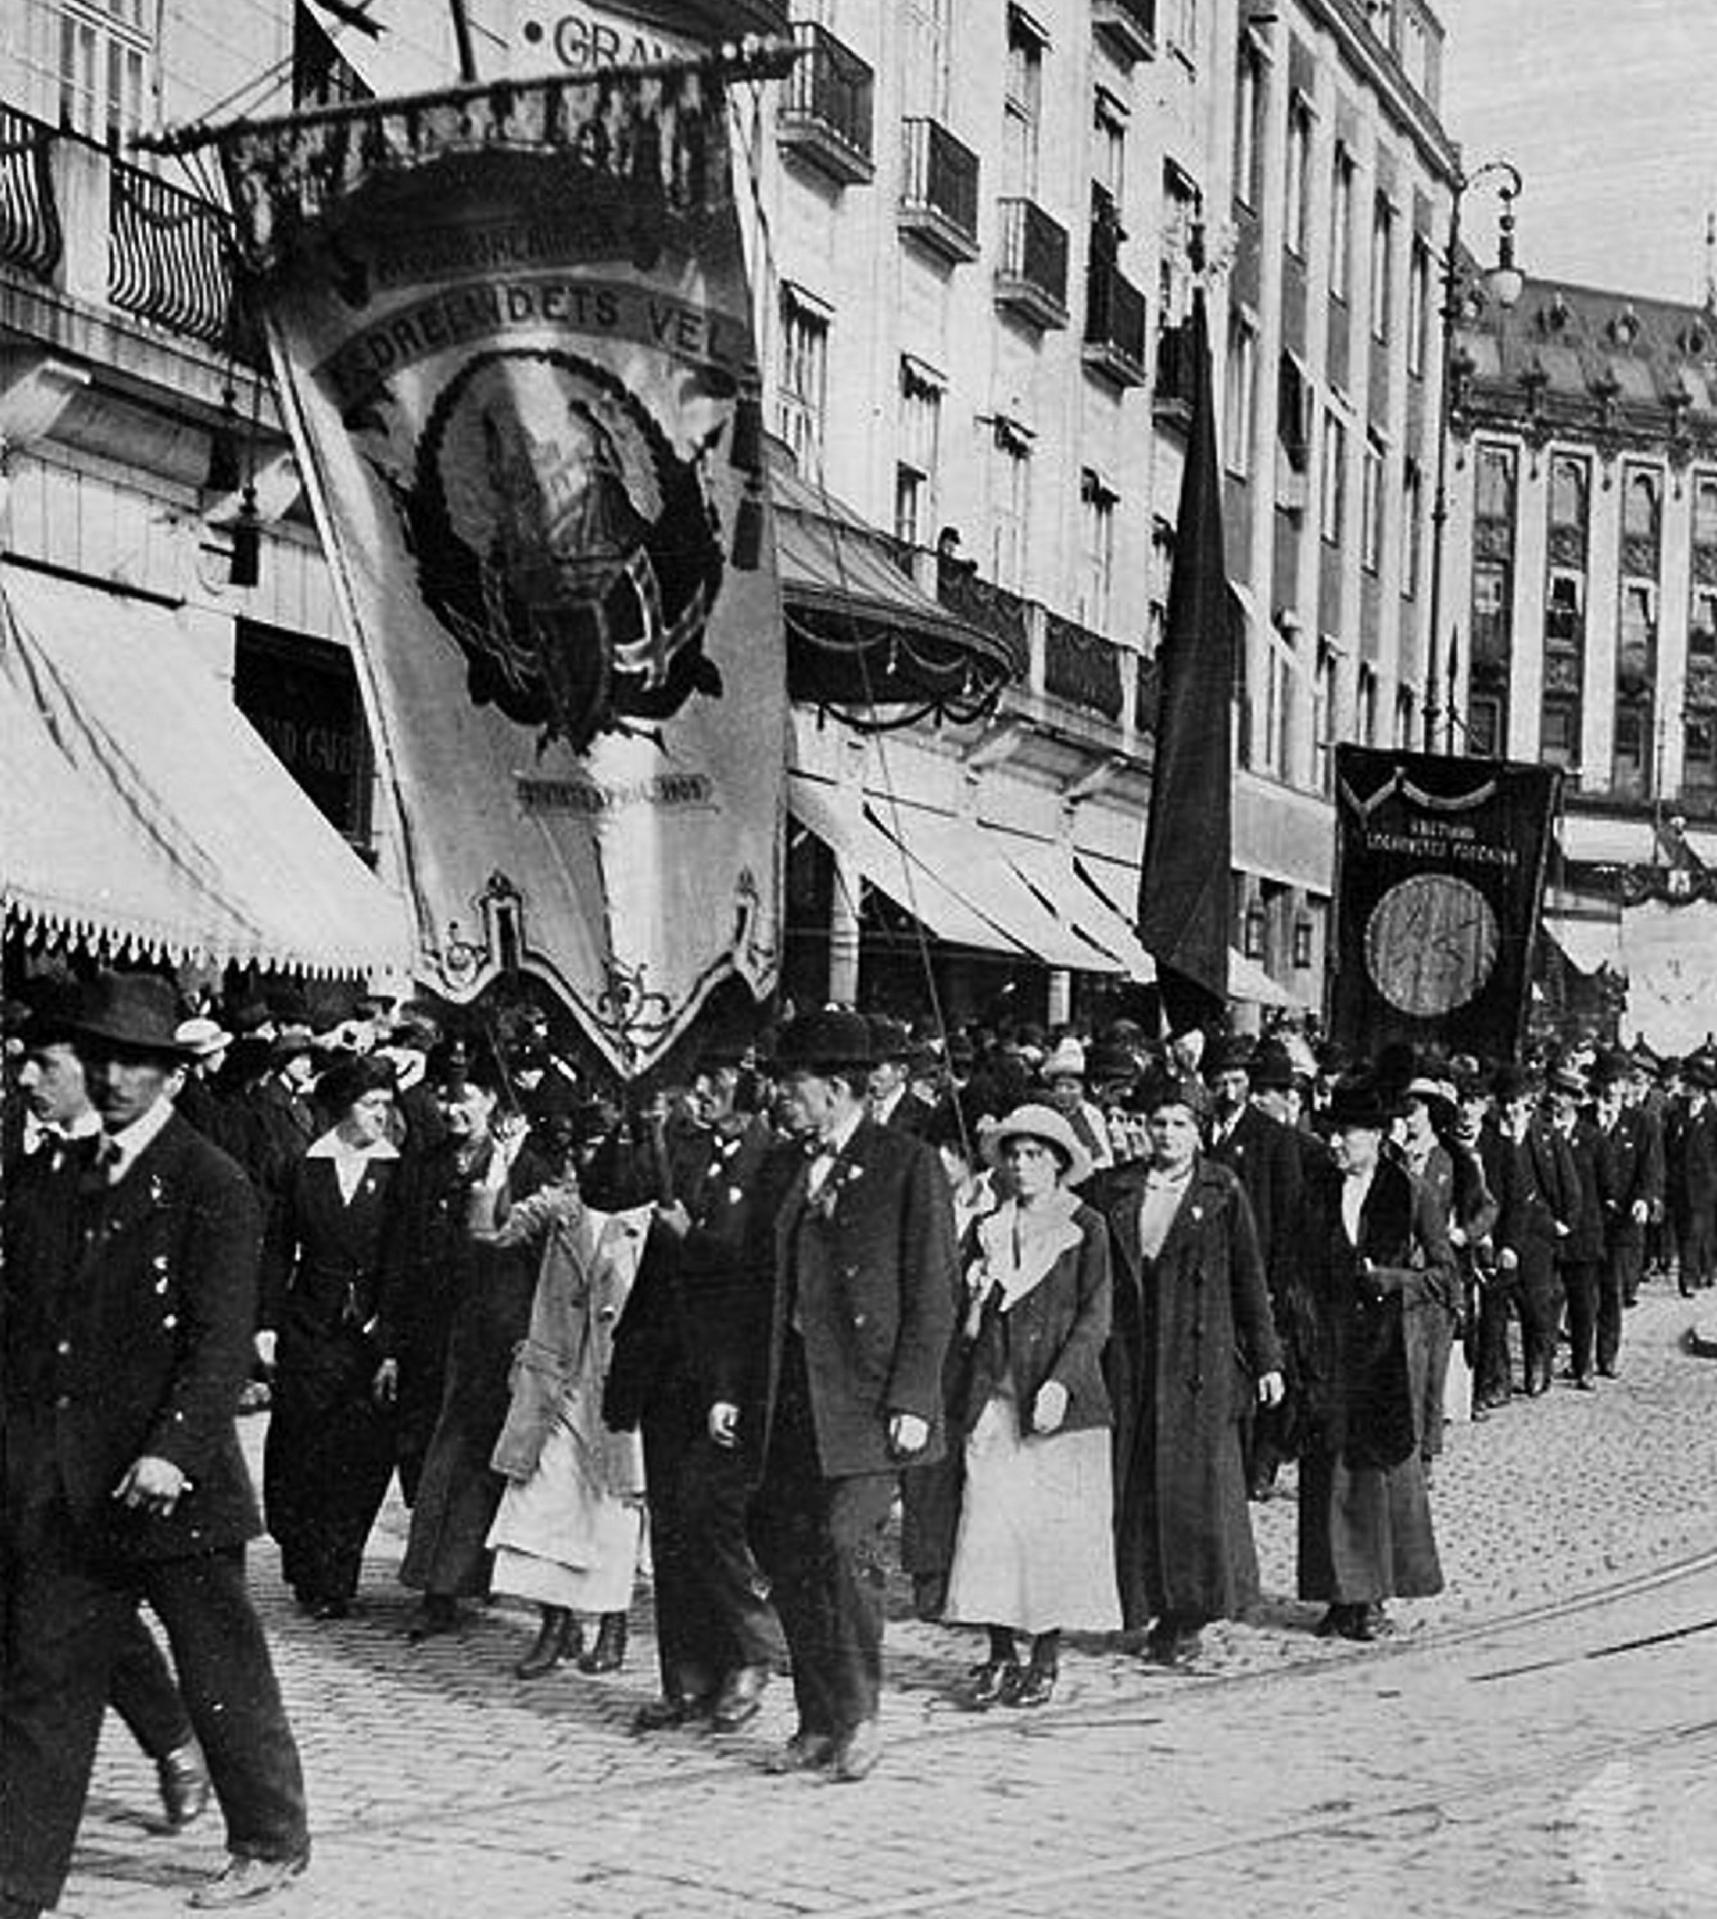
513, 339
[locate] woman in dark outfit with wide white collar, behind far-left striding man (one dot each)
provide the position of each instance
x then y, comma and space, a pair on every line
331, 1442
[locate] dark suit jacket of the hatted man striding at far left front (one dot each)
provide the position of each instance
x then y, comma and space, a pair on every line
139, 1346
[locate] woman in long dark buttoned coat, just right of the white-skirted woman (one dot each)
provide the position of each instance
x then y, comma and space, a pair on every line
1192, 1348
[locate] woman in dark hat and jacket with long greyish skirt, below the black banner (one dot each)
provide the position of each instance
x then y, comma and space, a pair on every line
1376, 1248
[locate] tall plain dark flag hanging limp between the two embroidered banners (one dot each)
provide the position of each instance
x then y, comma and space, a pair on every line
1185, 884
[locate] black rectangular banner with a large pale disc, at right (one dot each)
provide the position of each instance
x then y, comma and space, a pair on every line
1438, 897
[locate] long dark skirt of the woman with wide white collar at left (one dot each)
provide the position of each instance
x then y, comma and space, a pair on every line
327, 1459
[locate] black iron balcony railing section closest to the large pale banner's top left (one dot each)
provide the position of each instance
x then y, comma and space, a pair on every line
170, 256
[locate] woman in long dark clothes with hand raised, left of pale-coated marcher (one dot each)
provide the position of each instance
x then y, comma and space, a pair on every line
484, 1298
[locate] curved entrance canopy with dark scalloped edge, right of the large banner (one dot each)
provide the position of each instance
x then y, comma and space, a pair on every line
860, 630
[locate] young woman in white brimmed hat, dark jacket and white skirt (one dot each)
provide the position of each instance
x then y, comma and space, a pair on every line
1035, 1550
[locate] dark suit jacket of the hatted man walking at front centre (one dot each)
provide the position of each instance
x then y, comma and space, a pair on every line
866, 1269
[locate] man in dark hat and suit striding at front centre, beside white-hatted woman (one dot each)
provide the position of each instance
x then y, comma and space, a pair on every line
853, 1388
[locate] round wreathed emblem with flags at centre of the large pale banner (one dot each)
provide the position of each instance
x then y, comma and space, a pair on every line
565, 546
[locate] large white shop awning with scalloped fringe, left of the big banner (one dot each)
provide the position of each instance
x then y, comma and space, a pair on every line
141, 813
